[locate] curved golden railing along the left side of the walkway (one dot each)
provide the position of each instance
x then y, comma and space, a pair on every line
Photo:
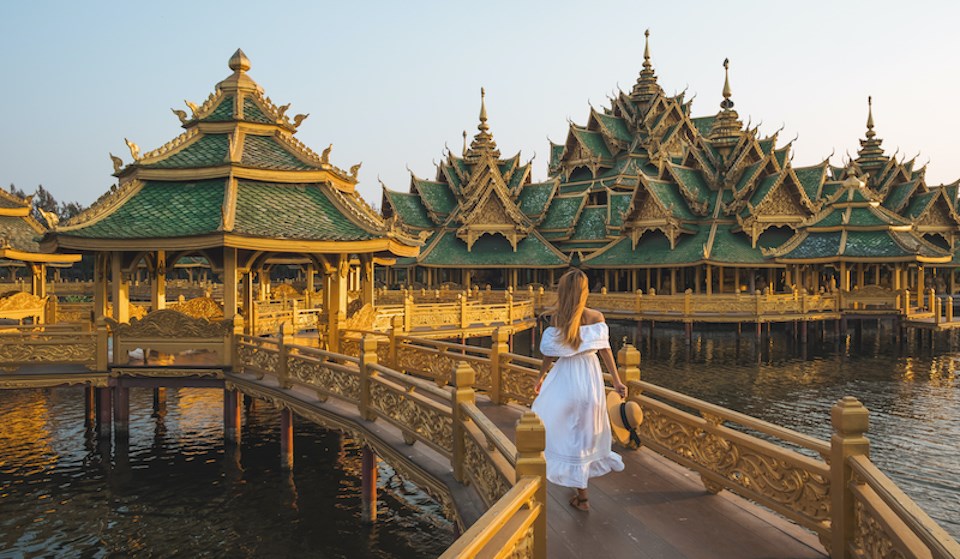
510, 479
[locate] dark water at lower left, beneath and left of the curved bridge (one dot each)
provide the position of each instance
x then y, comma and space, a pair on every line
176, 490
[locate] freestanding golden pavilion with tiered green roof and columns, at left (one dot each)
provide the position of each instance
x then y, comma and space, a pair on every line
238, 189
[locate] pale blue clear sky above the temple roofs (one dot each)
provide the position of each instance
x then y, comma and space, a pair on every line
392, 84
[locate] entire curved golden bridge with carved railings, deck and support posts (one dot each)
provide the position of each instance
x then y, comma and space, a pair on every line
707, 482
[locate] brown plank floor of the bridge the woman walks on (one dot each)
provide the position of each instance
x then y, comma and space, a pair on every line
655, 508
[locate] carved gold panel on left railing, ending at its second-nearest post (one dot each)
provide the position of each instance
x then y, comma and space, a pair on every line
418, 418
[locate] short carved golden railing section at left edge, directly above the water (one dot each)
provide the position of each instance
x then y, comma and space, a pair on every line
48, 344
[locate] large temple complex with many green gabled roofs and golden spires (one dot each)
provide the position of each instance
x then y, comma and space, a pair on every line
647, 196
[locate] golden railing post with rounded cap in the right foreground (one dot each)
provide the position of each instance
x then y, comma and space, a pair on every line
850, 420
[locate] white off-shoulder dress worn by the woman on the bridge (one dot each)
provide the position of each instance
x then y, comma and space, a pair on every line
572, 406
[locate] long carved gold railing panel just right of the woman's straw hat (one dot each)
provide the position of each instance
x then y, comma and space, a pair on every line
768, 475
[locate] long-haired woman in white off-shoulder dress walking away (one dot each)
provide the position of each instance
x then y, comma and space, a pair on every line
571, 401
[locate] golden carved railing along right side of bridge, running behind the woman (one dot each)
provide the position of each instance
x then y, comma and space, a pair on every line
786, 471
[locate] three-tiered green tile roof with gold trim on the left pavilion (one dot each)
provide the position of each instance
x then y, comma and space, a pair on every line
236, 177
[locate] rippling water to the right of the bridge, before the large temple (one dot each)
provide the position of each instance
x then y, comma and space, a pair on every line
913, 394
